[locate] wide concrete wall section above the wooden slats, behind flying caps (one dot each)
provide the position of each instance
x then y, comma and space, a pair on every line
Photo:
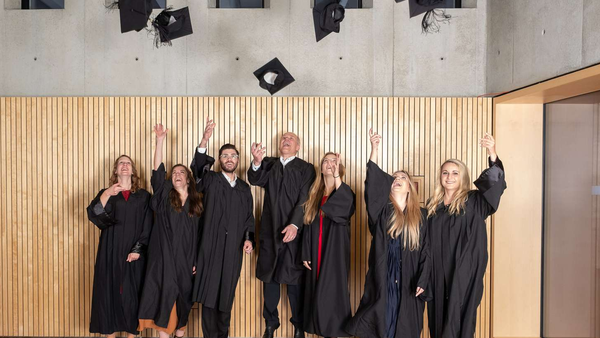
80, 51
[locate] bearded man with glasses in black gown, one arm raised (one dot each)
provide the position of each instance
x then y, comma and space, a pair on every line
227, 229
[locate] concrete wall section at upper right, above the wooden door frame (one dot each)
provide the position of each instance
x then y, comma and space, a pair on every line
531, 41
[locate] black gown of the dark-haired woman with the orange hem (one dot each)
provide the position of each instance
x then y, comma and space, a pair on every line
171, 257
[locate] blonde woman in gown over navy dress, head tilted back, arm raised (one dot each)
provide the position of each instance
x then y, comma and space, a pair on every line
393, 303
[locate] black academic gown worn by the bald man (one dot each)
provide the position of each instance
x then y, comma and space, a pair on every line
286, 189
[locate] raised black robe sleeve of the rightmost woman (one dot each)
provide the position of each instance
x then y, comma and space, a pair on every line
490, 184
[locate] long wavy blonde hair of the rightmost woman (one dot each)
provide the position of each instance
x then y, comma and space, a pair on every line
458, 204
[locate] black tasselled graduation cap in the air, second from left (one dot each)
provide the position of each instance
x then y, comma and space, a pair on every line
172, 24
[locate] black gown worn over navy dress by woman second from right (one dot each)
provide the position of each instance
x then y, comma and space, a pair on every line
370, 318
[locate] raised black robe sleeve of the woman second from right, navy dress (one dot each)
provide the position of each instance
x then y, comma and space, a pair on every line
378, 185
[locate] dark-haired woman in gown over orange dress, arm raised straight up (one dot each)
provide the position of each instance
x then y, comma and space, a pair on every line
167, 297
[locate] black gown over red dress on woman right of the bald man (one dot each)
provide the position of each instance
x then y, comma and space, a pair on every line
327, 299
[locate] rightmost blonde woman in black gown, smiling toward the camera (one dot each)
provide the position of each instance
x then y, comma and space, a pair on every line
456, 222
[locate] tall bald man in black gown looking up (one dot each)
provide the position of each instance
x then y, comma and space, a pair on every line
287, 180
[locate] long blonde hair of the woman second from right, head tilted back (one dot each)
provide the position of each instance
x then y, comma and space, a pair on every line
408, 222
